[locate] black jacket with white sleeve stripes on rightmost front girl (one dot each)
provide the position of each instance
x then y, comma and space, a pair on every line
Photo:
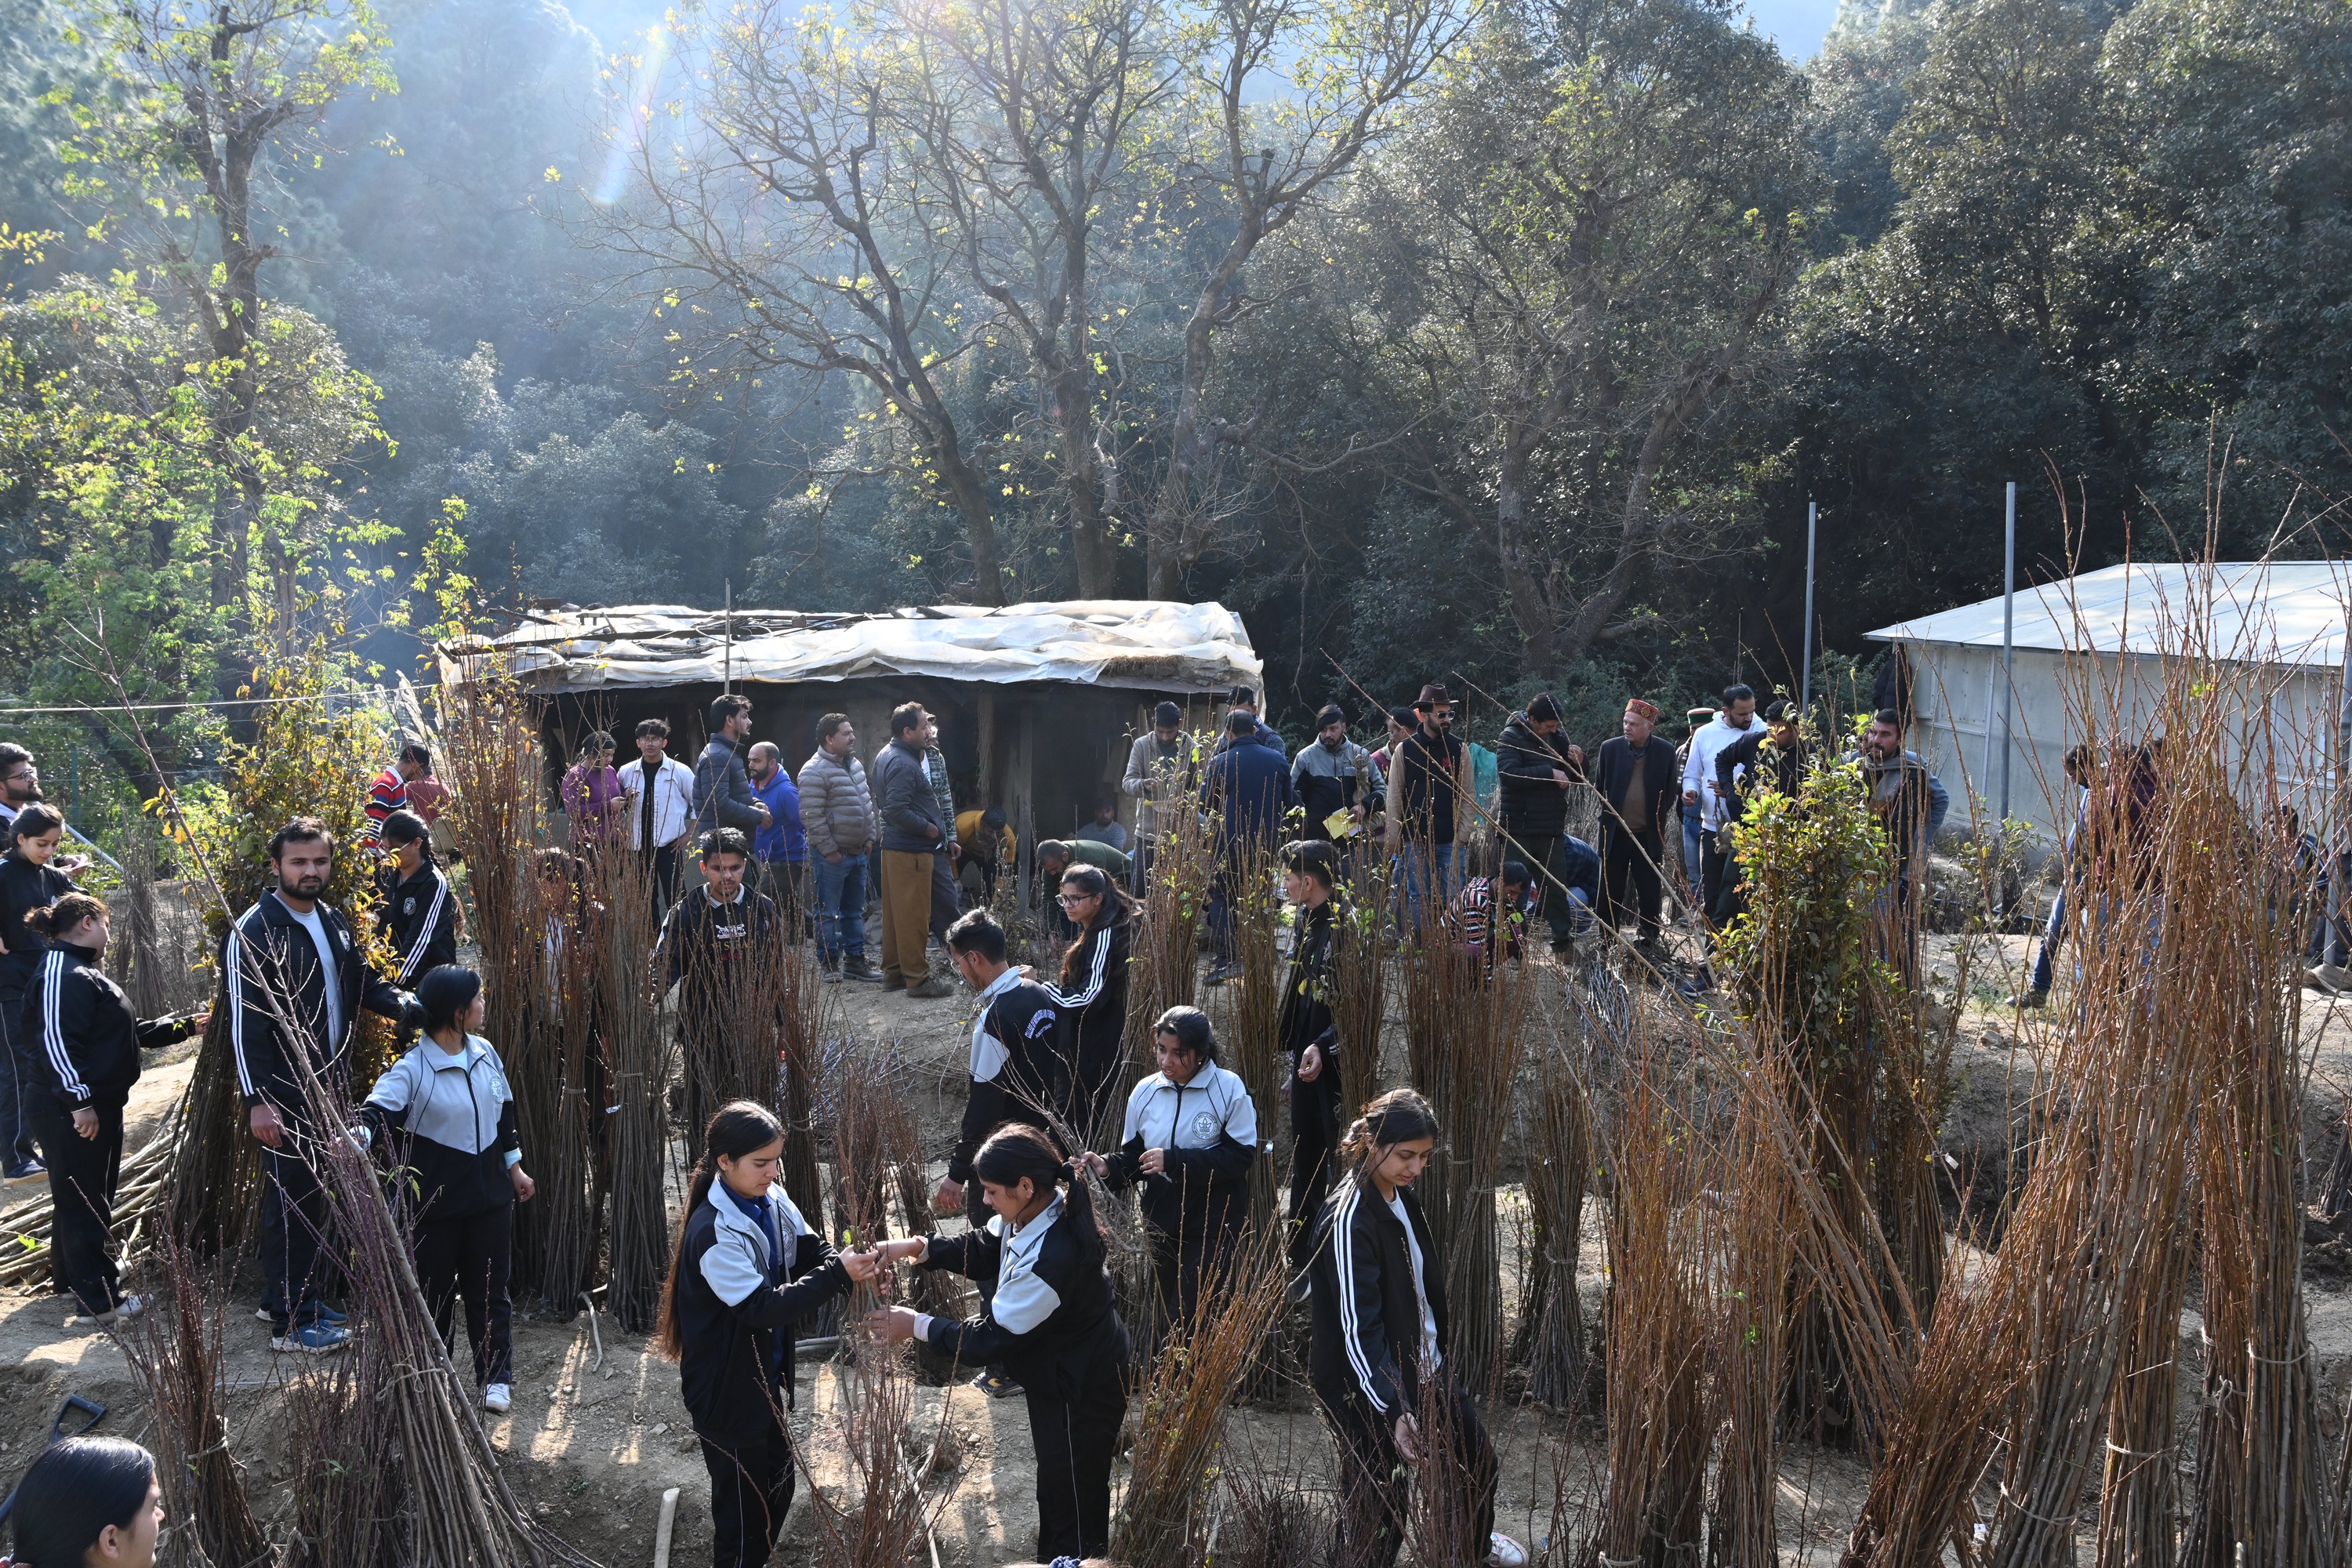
1372, 1343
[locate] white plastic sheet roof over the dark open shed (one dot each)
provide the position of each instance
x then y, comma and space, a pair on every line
1102, 643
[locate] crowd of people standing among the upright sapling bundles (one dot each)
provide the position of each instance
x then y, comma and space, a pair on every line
787, 859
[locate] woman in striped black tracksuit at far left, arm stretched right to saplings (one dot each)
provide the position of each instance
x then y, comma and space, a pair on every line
79, 1047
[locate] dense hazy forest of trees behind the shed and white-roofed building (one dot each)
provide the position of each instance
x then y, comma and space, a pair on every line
1499, 342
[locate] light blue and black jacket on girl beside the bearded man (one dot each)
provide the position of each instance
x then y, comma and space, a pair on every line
448, 1125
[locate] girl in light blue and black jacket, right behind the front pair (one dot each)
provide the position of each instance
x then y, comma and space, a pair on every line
1191, 1134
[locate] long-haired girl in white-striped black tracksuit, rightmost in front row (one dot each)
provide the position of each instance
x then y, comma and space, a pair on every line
1379, 1304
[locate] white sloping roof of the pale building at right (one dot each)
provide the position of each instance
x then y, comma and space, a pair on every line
2257, 612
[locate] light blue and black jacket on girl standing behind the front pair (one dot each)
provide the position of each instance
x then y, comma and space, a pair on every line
1210, 1132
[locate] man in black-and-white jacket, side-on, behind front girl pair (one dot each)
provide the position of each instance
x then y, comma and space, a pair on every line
1020, 1076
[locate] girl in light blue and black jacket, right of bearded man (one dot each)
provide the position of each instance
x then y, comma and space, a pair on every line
446, 1118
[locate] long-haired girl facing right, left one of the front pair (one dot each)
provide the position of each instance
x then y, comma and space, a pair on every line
749, 1268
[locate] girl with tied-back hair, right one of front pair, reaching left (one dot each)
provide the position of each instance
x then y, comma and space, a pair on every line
1050, 1320
